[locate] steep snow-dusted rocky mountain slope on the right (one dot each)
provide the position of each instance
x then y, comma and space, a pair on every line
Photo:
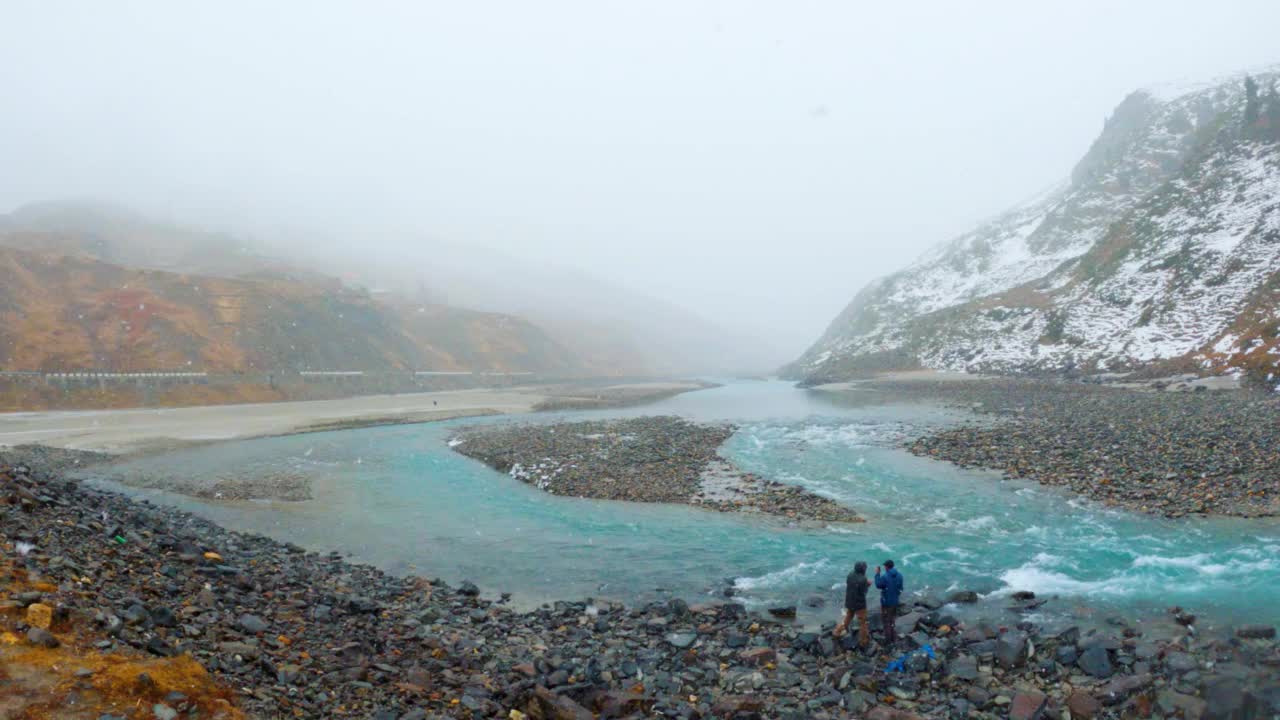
1162, 253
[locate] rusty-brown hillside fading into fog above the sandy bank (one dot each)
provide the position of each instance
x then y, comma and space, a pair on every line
70, 313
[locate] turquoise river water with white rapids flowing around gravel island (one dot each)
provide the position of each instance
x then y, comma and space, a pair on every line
399, 498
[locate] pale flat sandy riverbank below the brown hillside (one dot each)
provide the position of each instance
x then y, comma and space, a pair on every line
144, 430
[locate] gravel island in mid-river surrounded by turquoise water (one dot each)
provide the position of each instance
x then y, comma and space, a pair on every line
655, 459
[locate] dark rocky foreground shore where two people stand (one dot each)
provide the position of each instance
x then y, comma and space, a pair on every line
289, 634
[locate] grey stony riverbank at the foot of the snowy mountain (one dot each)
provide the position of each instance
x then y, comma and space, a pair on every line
1168, 454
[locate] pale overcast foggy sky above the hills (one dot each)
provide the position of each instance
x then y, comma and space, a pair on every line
753, 162
